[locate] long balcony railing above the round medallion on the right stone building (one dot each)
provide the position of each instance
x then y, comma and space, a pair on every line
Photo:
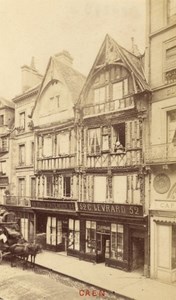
161, 153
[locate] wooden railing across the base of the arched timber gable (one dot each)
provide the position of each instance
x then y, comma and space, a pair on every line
109, 106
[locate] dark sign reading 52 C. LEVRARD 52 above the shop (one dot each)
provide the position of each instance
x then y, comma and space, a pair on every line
113, 209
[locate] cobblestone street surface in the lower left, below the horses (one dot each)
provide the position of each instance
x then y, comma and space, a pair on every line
18, 284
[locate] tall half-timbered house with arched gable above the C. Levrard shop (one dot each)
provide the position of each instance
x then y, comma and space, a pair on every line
113, 223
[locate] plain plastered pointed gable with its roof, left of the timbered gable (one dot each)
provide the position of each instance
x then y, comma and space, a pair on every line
58, 93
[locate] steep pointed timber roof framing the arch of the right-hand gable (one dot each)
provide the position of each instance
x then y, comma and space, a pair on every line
112, 53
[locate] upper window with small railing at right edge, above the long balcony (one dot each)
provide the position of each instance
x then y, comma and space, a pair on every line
170, 65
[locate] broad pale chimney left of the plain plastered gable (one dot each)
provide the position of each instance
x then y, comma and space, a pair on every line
30, 76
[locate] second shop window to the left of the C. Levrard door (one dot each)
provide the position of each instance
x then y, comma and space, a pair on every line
74, 235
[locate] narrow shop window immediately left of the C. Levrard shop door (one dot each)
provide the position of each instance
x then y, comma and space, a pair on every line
90, 237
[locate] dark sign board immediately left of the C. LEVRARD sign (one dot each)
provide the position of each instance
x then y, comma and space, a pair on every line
53, 205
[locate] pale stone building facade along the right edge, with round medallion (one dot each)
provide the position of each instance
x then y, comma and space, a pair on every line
161, 155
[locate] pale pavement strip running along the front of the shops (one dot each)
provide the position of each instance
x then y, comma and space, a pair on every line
133, 285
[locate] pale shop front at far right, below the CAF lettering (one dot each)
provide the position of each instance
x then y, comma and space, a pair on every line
163, 244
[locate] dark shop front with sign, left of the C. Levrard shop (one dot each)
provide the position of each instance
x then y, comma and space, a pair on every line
52, 223
